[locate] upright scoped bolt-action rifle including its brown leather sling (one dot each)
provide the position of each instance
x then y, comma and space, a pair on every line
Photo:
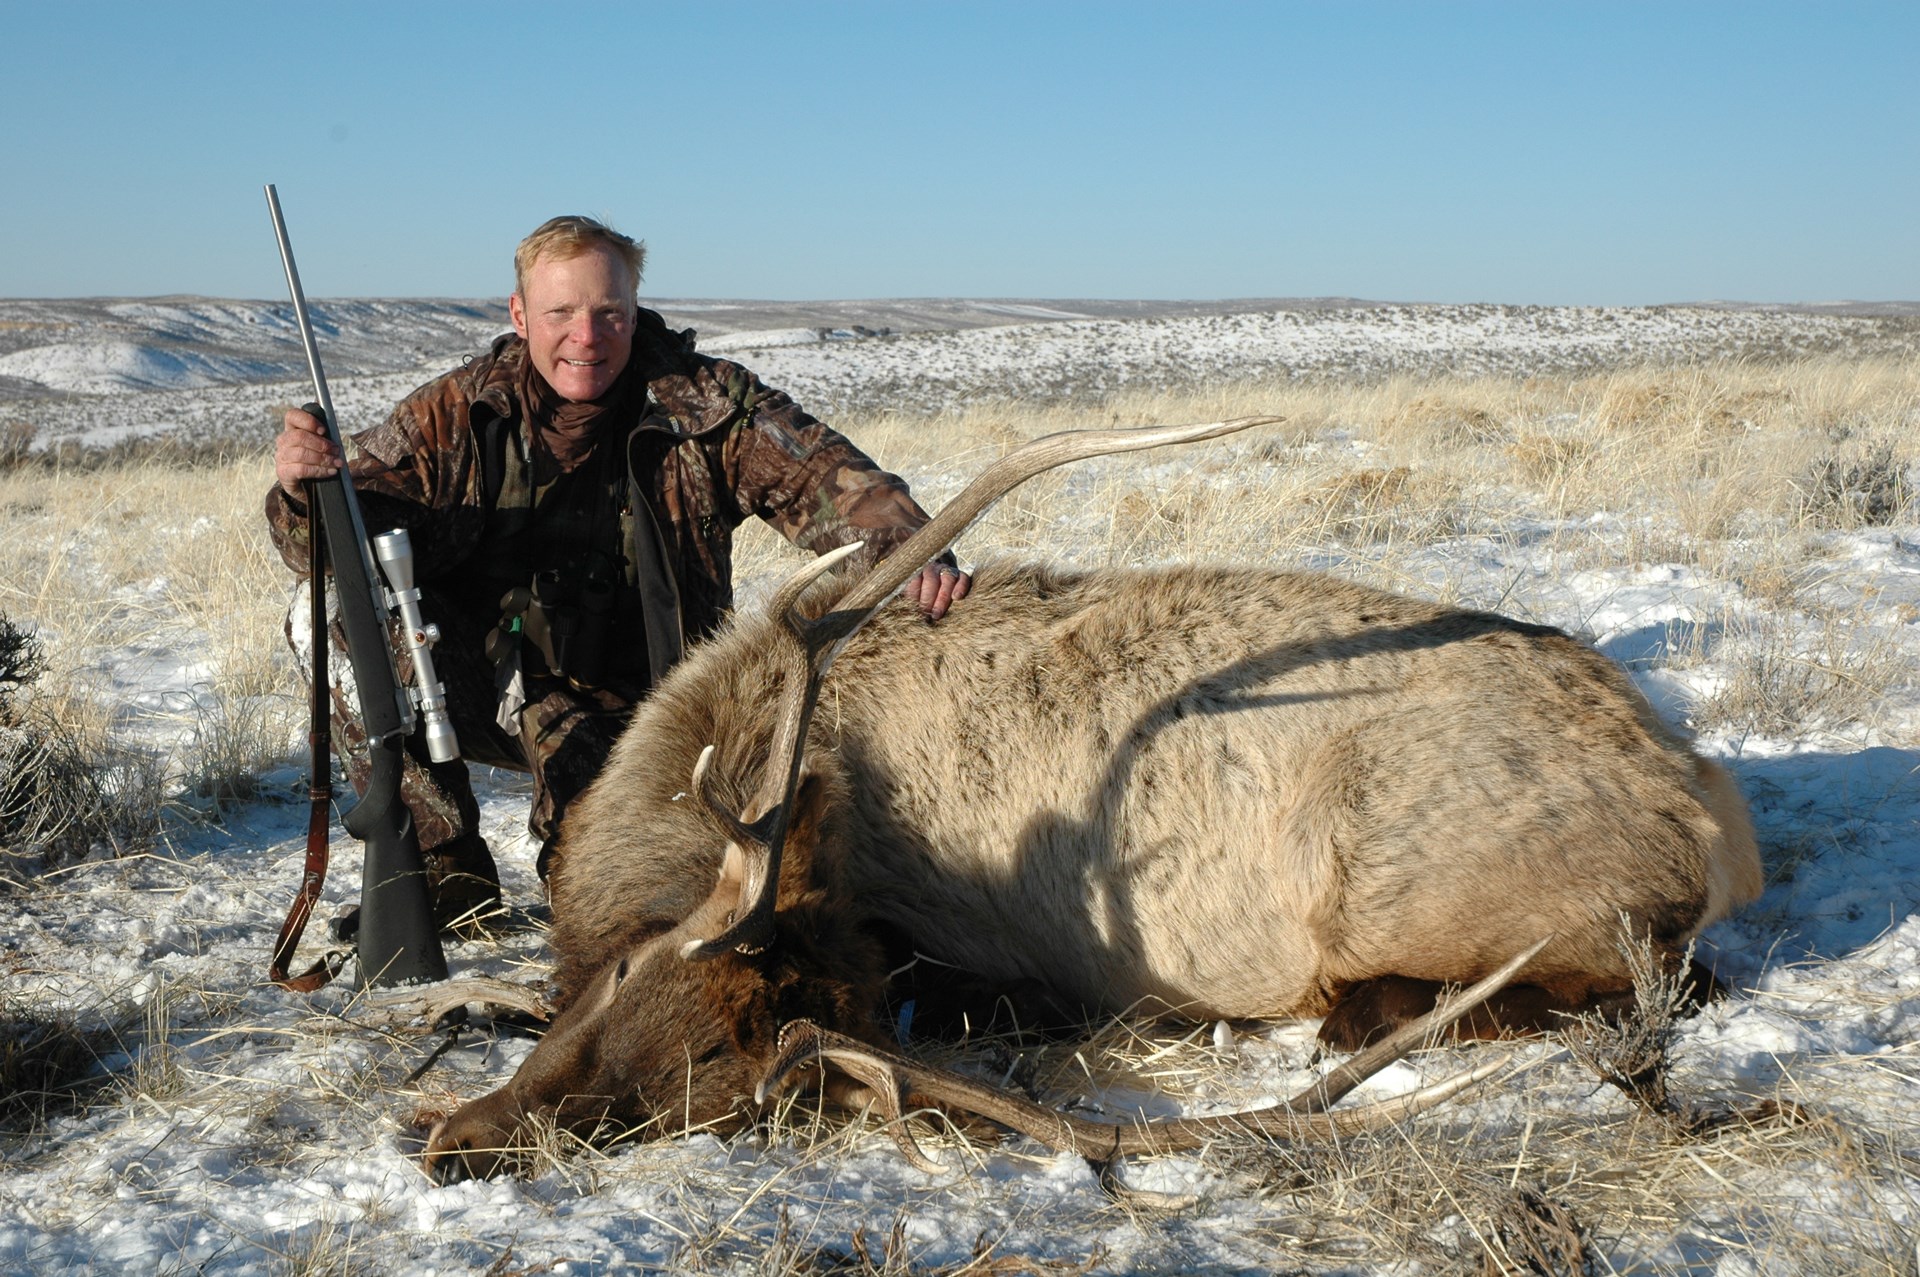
398, 942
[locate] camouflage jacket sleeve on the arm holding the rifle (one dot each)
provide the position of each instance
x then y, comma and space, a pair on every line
412, 471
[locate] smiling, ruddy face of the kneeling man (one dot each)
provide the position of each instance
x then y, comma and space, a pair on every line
577, 318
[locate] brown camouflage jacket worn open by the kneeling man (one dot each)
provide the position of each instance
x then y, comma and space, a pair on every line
711, 448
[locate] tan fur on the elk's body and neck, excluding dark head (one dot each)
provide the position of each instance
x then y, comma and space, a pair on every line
1212, 790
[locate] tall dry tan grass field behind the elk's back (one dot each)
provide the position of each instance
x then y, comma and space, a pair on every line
1737, 470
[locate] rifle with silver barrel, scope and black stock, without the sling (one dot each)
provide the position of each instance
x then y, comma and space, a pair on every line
398, 942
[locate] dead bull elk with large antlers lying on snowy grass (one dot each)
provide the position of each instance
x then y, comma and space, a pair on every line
1211, 792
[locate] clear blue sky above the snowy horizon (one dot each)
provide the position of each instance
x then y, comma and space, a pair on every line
1437, 153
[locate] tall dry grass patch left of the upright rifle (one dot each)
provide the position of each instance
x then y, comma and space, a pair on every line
122, 567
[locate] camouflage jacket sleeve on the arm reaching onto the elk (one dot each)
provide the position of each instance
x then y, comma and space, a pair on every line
798, 473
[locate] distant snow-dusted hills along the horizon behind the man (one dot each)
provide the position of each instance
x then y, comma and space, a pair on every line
99, 372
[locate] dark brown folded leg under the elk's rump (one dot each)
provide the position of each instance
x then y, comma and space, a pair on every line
1372, 1009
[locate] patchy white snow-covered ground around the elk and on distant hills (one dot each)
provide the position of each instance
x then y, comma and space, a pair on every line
274, 1134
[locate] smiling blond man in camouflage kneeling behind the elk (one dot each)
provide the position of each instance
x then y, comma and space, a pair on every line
571, 498
